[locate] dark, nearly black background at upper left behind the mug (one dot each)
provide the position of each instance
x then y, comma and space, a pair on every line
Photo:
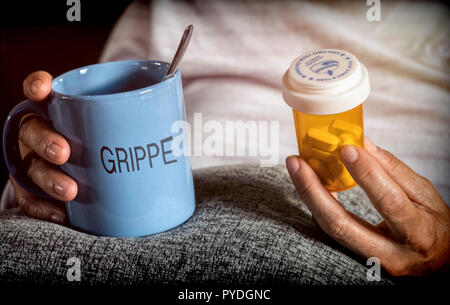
36, 35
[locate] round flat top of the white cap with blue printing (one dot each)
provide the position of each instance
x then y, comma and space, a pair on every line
324, 66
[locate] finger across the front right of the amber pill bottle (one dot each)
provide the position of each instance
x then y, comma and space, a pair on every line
385, 194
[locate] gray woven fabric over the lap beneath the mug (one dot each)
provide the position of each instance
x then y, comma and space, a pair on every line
250, 227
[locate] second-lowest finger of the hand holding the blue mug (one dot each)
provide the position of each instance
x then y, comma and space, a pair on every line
51, 180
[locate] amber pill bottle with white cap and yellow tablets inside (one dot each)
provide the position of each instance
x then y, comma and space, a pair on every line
326, 90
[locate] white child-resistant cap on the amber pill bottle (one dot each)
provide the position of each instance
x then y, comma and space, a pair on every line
325, 81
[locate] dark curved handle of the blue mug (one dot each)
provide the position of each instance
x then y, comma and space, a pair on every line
14, 162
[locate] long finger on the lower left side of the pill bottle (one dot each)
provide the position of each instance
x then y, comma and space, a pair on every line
349, 230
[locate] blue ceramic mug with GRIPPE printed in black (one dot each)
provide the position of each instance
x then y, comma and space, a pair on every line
117, 119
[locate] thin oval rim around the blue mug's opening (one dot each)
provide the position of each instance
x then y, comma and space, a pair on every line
139, 91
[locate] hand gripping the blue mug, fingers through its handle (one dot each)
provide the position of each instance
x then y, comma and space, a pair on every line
43, 149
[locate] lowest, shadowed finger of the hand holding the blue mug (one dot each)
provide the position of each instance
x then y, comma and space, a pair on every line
35, 207
